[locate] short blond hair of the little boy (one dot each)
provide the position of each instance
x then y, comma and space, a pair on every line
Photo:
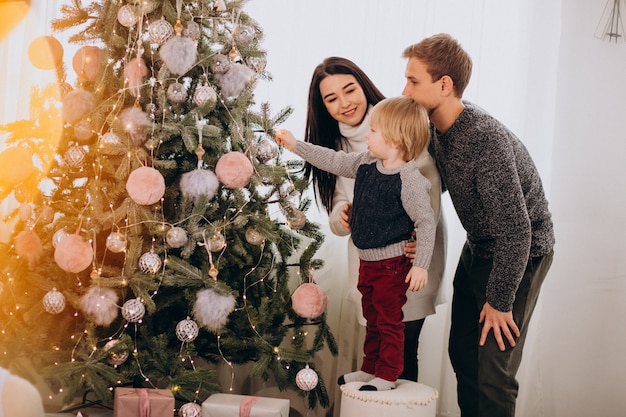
404, 123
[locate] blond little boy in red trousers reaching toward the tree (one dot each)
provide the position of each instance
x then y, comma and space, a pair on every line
391, 200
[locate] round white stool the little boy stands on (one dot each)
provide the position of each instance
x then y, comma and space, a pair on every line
408, 399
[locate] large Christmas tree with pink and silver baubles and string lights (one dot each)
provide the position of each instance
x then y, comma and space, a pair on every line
157, 227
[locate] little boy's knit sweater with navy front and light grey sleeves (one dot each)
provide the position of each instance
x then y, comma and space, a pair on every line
388, 203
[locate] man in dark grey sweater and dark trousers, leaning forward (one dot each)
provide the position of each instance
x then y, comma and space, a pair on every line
499, 199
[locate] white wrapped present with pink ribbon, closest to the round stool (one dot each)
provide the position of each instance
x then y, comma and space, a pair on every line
232, 405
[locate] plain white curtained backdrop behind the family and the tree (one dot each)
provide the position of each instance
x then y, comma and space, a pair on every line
537, 67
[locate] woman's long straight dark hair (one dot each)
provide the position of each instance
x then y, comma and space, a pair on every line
322, 129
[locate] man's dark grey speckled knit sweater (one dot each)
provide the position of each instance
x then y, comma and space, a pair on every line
498, 196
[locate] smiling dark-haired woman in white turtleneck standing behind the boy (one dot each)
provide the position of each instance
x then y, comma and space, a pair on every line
341, 96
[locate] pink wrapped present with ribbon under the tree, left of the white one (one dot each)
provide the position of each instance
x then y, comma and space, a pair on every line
143, 402
